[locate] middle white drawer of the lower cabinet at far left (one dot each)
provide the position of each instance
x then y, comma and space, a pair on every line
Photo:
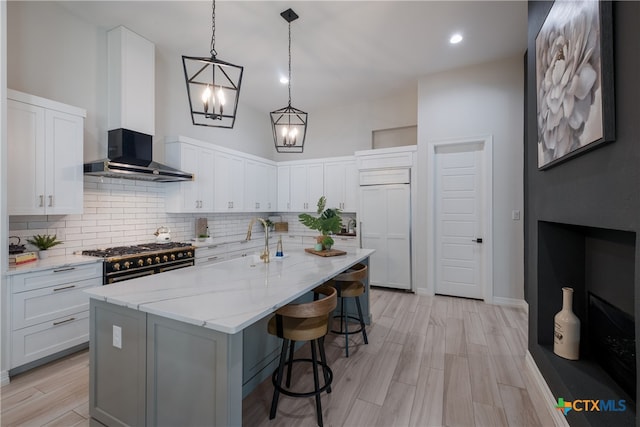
46, 304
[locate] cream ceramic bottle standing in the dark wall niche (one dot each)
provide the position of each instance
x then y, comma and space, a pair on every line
566, 333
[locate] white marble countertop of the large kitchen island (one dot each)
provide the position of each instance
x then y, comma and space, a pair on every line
228, 296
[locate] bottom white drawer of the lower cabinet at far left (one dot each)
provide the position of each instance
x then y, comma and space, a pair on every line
44, 339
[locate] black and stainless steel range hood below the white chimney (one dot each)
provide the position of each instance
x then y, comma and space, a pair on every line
129, 157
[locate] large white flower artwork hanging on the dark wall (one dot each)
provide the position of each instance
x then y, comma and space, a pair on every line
569, 80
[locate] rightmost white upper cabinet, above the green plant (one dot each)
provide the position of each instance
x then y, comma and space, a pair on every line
341, 185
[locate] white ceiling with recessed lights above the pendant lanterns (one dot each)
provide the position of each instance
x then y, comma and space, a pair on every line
342, 51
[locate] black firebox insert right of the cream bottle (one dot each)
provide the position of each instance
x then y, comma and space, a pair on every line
612, 343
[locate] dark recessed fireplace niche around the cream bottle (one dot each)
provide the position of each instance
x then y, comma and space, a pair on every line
599, 264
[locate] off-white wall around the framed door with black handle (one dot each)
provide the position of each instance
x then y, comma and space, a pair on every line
486, 99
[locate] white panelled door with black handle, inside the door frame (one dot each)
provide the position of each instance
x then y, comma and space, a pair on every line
458, 220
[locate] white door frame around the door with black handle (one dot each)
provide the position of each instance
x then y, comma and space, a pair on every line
486, 144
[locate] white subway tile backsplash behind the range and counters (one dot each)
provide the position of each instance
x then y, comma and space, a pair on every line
120, 212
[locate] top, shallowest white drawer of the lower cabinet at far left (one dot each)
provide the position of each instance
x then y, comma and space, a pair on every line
45, 278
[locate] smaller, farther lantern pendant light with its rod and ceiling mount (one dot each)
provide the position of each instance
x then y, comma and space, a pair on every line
289, 124
